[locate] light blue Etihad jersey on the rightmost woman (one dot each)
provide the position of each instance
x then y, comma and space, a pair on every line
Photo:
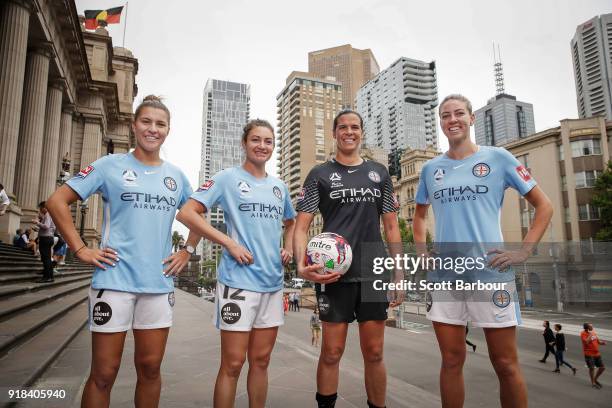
467, 196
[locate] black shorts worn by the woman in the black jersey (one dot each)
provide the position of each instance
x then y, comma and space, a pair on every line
343, 302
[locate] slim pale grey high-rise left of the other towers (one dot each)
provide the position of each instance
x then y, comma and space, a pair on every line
225, 113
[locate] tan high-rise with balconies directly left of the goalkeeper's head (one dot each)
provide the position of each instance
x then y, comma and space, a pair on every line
306, 109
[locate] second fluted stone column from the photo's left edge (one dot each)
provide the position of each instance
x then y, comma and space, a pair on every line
31, 130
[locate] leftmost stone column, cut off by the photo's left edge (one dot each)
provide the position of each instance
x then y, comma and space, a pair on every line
14, 24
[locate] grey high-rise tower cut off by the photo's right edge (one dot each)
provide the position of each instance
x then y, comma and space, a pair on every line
592, 60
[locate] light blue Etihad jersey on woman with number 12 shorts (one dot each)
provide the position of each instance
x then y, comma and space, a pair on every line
254, 210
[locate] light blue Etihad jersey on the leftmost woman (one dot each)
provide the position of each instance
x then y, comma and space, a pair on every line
139, 204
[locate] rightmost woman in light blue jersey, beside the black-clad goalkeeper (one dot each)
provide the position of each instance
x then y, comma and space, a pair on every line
465, 187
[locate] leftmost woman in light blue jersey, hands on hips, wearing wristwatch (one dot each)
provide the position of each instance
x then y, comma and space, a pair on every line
130, 288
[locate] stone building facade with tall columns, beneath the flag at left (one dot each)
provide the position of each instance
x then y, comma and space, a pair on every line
66, 98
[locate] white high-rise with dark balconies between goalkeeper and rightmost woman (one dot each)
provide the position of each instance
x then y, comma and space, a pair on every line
398, 106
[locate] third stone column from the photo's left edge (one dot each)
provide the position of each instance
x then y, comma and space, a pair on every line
49, 167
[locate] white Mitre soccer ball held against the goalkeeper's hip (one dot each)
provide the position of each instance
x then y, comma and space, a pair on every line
330, 250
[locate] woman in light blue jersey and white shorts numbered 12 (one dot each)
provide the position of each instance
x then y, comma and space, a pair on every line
249, 298
